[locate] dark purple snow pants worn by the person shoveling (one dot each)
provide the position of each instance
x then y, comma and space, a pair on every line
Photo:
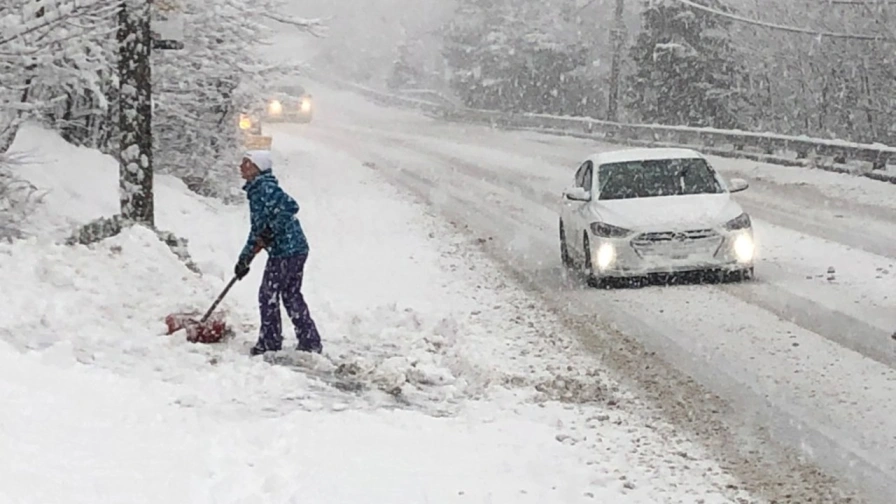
282, 280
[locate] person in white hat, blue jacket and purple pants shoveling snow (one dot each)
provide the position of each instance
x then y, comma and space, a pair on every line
275, 227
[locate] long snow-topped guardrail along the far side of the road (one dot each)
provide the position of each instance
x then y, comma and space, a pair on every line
867, 160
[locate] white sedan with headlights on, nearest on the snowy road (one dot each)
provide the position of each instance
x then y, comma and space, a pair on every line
637, 212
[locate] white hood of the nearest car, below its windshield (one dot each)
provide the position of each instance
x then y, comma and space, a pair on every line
667, 213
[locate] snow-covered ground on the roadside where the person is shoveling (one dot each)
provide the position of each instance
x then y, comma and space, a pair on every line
464, 389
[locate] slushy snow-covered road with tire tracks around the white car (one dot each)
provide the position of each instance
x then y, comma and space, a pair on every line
804, 352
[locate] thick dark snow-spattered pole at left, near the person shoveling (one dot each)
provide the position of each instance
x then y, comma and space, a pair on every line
135, 112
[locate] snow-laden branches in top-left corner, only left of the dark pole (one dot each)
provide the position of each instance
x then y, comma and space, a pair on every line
54, 61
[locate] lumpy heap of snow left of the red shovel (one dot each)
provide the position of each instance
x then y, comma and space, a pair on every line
114, 292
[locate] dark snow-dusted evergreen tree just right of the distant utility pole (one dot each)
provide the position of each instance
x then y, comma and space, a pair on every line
688, 72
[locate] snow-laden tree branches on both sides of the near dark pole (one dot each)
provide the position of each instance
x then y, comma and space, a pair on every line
58, 59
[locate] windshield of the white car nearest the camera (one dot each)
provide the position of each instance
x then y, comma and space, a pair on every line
659, 177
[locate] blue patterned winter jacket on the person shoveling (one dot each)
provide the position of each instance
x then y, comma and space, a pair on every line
270, 206
